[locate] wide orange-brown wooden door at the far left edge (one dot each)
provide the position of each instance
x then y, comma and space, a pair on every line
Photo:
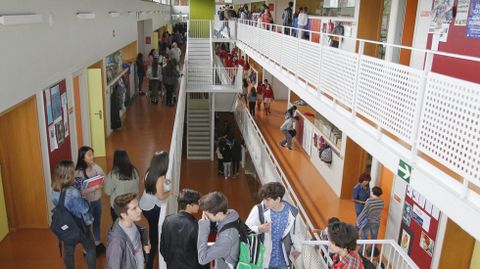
22, 167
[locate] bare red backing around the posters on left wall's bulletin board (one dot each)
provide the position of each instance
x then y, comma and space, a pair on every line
63, 152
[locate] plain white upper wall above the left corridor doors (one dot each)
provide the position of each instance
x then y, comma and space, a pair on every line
38, 55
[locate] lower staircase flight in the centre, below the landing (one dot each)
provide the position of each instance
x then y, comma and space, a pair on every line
199, 127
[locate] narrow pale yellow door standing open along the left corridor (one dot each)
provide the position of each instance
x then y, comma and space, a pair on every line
97, 117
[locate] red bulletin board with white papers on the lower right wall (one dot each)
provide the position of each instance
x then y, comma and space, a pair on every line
418, 231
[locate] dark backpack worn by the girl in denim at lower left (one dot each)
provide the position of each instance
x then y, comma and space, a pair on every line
65, 226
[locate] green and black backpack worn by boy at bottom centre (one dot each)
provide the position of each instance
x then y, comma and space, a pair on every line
251, 248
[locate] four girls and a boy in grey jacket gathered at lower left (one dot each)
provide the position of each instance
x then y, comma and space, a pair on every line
129, 245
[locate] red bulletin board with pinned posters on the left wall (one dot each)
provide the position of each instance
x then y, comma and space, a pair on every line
57, 122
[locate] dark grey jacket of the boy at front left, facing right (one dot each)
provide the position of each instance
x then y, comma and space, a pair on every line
120, 250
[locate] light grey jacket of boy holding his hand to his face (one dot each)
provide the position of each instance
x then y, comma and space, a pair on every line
226, 249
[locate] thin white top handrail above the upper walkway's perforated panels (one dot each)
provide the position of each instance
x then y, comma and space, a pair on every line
362, 40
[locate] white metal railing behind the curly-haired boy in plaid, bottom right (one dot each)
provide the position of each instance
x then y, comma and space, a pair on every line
389, 254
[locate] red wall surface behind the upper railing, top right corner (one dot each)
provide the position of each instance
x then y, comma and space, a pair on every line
458, 43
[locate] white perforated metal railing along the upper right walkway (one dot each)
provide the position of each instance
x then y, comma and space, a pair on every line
427, 112
